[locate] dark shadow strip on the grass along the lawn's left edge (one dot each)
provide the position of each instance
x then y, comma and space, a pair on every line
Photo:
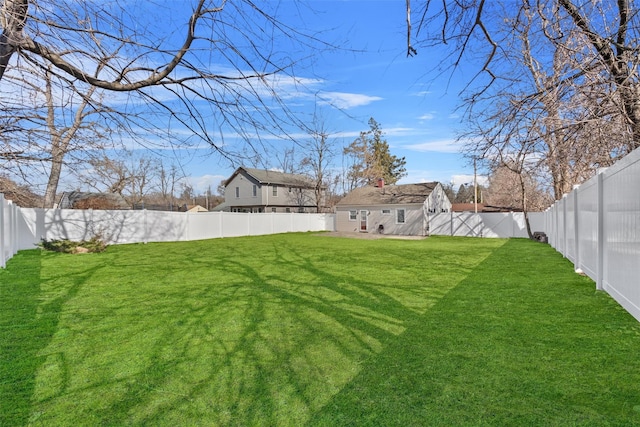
28, 321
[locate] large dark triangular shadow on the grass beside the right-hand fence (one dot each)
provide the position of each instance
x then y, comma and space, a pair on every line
522, 341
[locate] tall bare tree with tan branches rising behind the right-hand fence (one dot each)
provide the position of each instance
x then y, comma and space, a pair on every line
543, 95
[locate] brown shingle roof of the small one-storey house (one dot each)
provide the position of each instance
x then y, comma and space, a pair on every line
389, 194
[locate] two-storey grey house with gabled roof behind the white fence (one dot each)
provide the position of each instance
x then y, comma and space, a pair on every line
258, 190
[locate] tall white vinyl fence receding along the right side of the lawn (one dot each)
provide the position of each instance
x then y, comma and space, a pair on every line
597, 227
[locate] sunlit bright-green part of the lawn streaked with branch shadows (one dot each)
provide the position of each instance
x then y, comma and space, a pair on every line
268, 340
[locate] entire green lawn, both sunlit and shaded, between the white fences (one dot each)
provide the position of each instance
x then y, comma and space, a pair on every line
302, 329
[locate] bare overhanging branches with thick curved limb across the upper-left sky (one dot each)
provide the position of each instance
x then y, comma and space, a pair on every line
180, 76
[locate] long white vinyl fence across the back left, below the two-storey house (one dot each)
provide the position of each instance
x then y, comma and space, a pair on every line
128, 226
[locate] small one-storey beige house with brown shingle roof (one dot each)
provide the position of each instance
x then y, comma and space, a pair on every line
392, 209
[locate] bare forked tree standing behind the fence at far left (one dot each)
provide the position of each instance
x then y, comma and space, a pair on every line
56, 120
